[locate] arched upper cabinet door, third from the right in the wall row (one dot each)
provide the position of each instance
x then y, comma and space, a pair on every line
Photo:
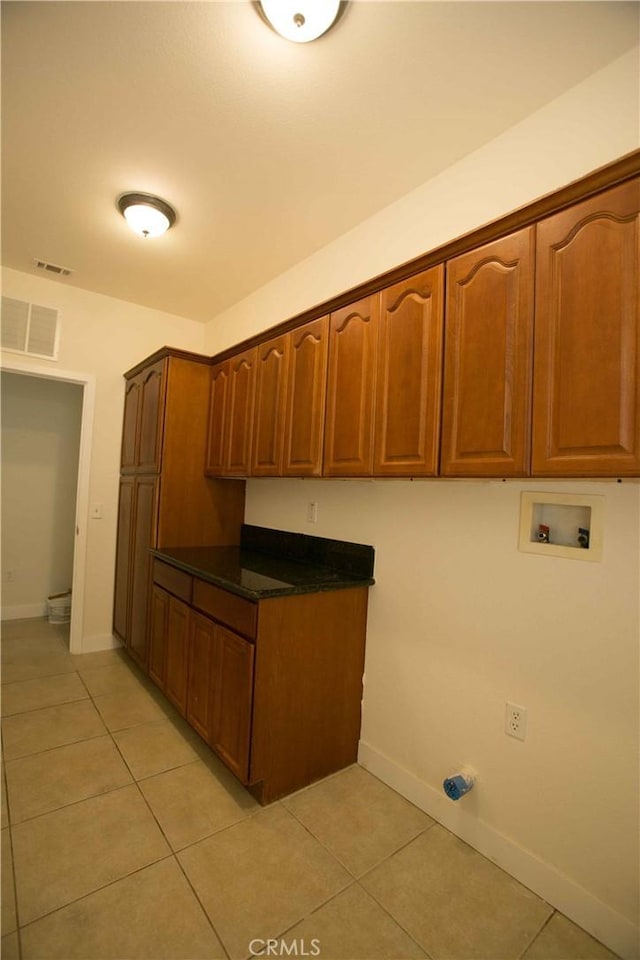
407, 421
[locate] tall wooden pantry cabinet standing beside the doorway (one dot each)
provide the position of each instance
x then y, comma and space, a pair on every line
165, 500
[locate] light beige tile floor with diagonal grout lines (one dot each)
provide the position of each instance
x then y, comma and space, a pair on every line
123, 837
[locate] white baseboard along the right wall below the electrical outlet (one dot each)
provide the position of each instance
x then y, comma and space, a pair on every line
560, 891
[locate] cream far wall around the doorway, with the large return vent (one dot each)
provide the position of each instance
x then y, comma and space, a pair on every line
103, 337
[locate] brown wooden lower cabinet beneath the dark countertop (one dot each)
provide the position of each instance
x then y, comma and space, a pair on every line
274, 687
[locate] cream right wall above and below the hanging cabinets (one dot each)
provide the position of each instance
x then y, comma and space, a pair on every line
460, 621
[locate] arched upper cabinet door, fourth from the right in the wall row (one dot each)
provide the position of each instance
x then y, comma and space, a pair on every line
353, 343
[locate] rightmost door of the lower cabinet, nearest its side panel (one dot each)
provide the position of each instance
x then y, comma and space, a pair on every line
232, 702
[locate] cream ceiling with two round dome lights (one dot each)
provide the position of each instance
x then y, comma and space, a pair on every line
267, 149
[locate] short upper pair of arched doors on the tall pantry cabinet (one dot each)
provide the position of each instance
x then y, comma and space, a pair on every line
142, 426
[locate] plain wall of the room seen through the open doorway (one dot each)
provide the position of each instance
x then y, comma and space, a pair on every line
40, 443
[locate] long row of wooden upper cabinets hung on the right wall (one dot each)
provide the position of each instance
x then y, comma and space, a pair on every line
517, 357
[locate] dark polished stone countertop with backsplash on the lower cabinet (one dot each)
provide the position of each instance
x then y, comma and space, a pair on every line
274, 563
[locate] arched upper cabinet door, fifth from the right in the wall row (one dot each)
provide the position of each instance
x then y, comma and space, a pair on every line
306, 396
